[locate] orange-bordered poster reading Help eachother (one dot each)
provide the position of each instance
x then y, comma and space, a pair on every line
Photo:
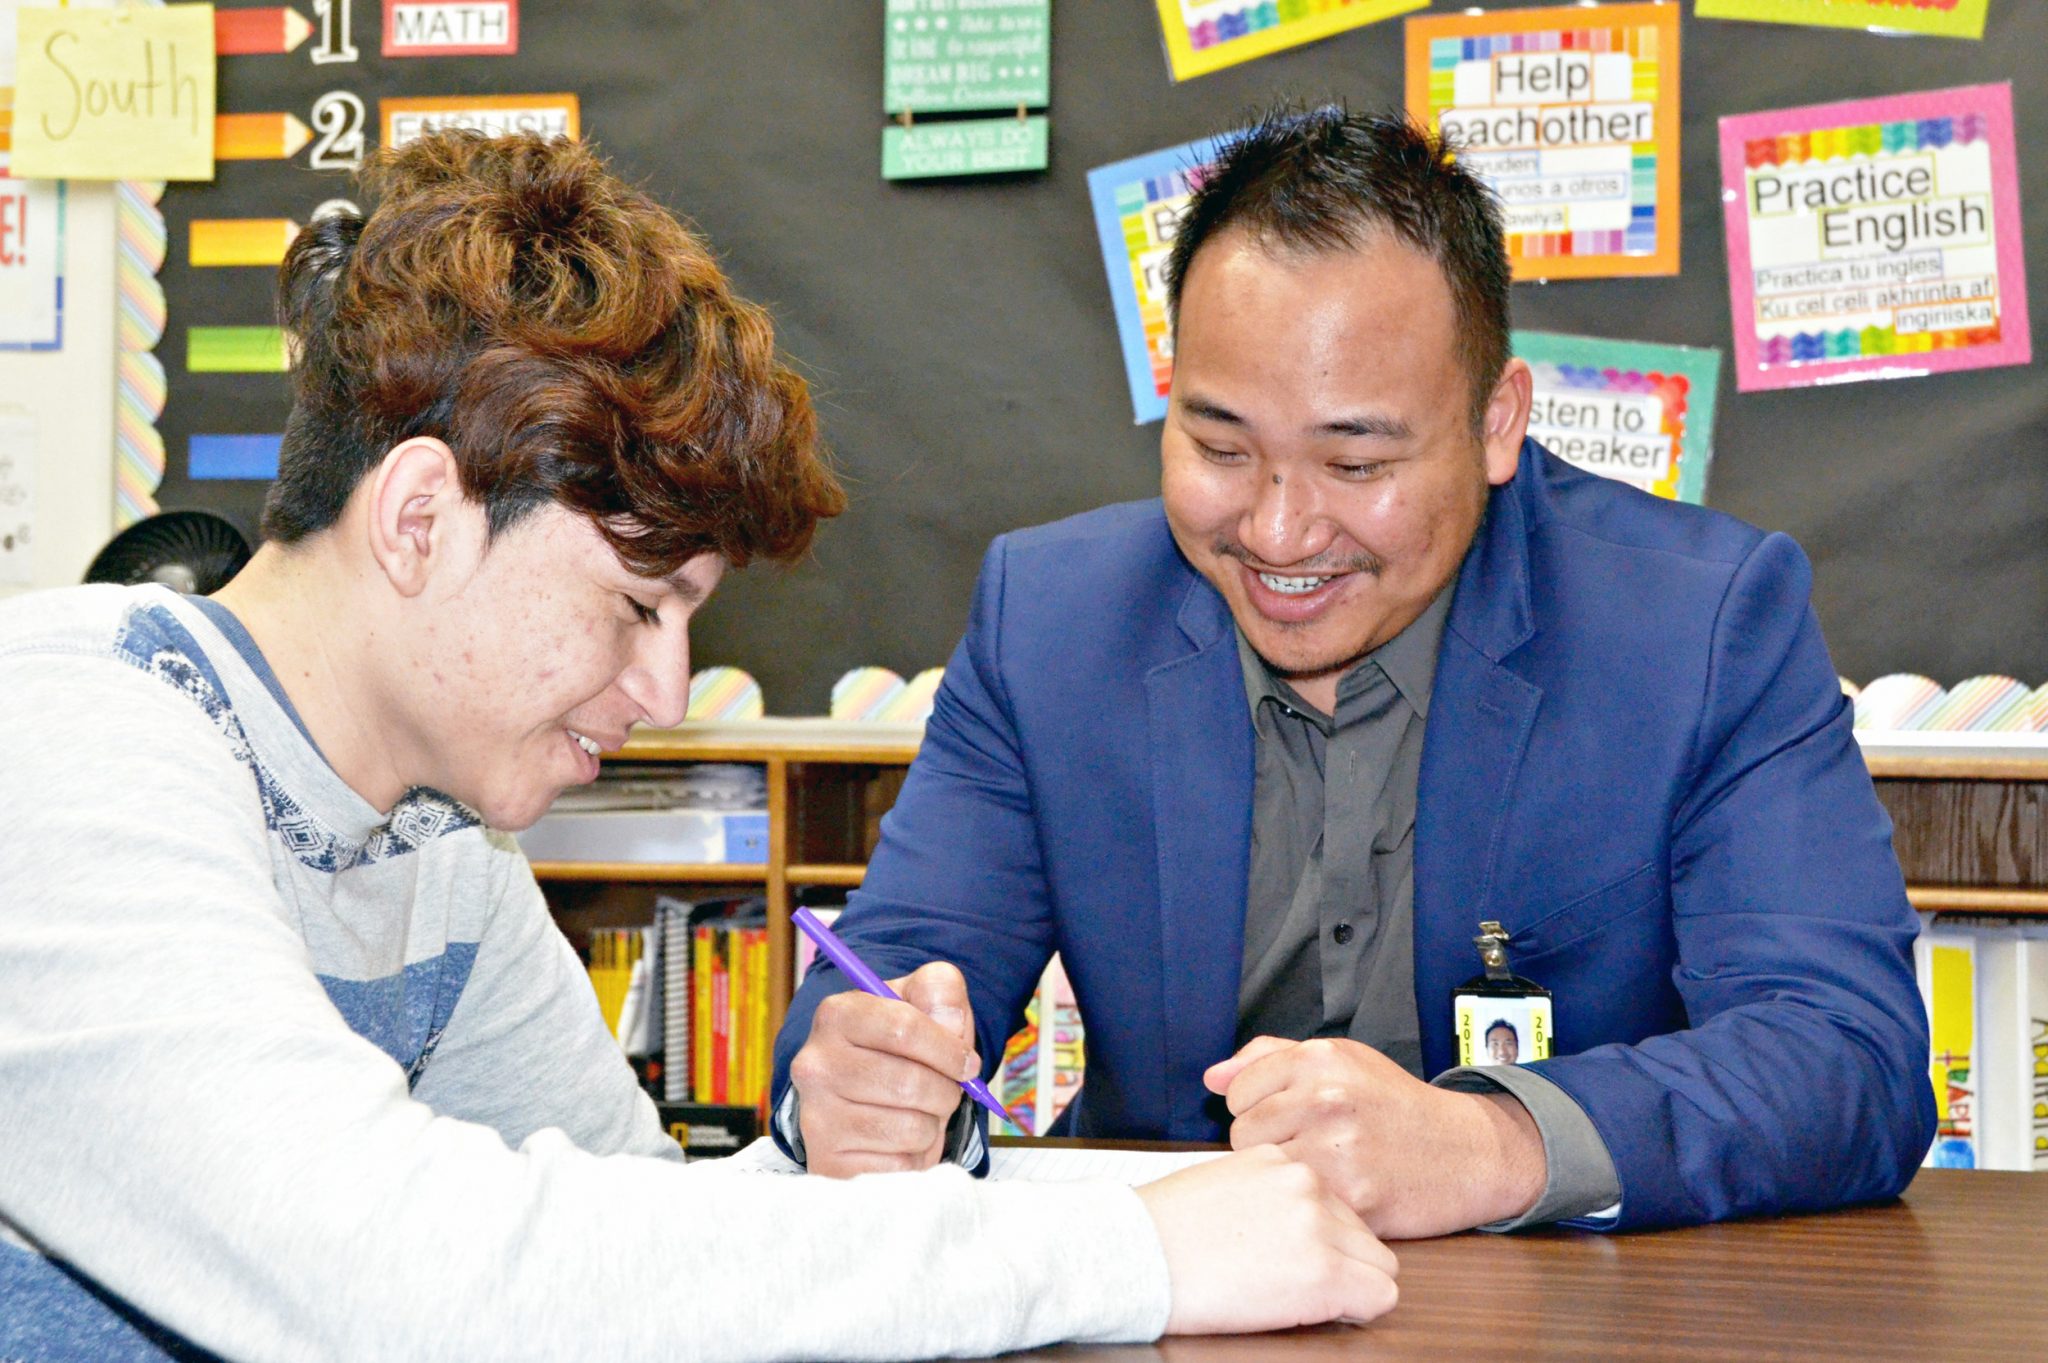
1572, 118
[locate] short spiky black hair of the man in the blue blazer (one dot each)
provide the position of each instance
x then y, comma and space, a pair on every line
1328, 179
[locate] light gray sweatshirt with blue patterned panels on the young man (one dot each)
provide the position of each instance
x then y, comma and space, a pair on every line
284, 1078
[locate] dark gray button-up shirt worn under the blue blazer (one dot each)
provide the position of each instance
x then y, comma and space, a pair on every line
1330, 908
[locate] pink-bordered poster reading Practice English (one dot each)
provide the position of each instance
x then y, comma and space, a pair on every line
1875, 238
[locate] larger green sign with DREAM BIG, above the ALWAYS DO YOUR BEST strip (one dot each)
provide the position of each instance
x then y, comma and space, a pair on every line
968, 54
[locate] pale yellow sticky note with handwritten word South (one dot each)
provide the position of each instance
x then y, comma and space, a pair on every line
114, 95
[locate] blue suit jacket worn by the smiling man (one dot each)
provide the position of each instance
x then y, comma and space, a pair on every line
1637, 760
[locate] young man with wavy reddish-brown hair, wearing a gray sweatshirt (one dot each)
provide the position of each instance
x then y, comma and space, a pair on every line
294, 1061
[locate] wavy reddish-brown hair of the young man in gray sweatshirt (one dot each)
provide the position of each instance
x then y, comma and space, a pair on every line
570, 343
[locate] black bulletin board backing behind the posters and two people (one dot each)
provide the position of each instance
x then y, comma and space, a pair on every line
962, 345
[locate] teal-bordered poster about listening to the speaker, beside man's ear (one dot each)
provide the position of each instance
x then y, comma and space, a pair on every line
1627, 410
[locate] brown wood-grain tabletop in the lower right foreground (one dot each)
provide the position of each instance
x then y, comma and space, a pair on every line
1957, 1270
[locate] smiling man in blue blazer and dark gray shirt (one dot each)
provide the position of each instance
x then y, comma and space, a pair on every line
1263, 756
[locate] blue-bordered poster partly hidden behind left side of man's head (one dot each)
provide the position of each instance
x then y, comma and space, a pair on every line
1138, 214
